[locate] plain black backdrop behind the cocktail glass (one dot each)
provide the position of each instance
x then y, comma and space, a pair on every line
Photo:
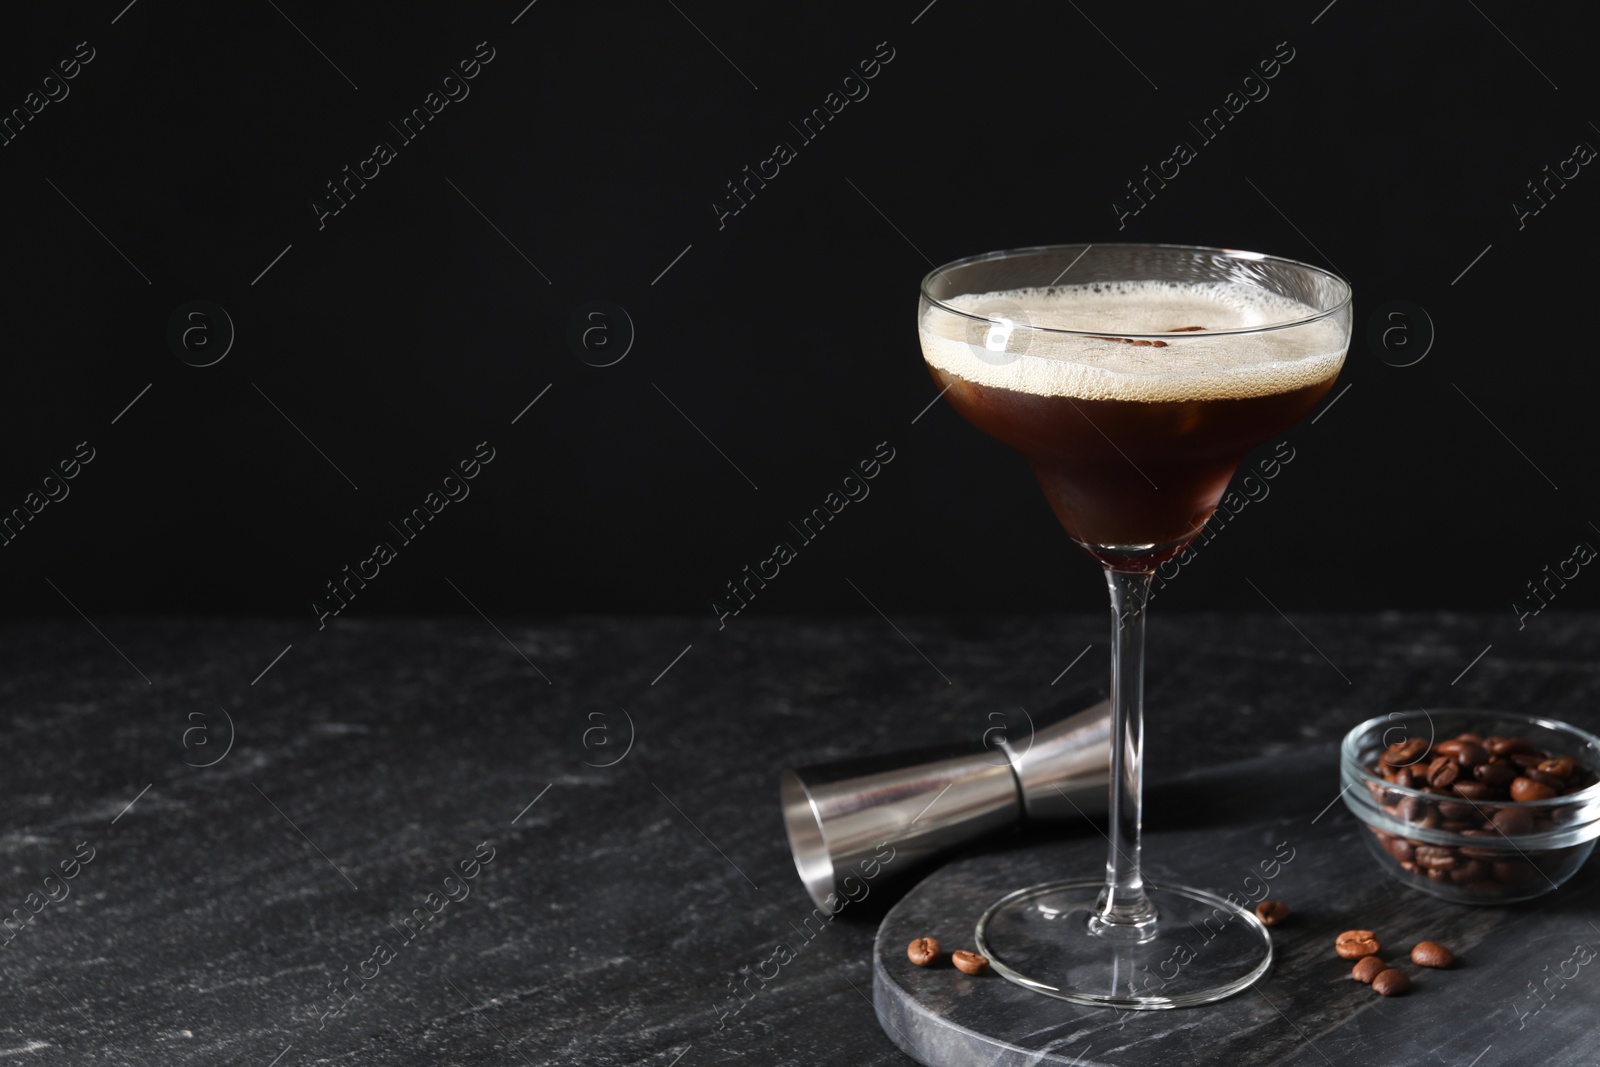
409, 330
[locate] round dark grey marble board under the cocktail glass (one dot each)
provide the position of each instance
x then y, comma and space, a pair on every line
1524, 991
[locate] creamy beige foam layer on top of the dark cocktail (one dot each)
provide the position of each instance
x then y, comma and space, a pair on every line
1190, 367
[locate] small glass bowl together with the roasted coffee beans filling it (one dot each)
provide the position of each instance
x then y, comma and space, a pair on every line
1474, 807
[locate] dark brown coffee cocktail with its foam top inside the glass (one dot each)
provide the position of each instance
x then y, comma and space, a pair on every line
1134, 444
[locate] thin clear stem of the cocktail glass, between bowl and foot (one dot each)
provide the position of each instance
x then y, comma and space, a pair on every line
1124, 909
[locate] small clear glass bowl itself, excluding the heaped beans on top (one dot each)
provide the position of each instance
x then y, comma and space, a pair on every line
1471, 852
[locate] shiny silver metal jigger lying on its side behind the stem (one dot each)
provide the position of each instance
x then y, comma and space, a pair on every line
844, 818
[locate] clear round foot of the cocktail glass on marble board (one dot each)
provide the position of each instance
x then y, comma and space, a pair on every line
1202, 949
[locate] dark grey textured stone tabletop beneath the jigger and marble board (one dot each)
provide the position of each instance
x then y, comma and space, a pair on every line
626, 805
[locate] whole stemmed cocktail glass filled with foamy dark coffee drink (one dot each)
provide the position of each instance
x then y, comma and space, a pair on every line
1134, 380
